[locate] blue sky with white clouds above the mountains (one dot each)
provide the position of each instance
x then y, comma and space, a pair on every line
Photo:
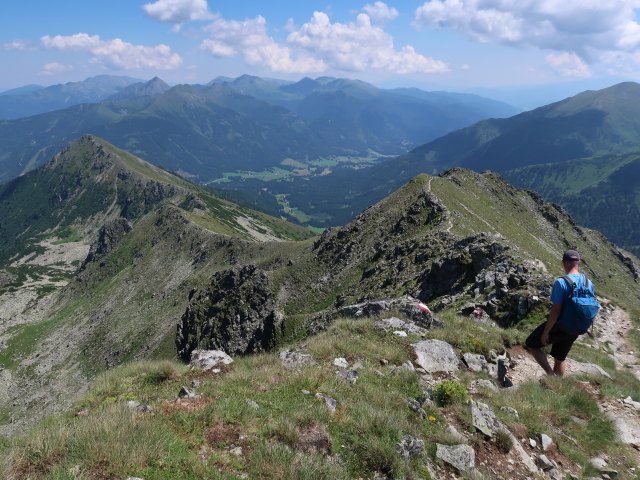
457, 45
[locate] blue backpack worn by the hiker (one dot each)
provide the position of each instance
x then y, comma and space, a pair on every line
580, 308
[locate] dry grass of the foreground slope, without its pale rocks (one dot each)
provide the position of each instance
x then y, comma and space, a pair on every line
193, 439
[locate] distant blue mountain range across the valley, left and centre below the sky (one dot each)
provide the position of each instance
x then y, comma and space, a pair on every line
248, 124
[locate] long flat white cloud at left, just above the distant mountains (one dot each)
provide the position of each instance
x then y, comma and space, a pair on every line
116, 53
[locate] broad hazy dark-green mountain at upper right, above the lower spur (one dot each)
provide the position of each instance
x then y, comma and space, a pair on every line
591, 123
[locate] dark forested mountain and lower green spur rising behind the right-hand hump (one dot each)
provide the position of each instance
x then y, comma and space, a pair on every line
600, 191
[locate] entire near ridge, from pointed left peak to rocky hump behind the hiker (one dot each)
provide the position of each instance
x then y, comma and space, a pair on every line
172, 268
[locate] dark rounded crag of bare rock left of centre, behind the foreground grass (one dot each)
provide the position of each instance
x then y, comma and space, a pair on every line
235, 313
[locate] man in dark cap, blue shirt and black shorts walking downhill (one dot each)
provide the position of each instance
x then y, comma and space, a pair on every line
568, 319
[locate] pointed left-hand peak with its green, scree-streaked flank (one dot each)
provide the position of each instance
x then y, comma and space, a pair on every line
71, 310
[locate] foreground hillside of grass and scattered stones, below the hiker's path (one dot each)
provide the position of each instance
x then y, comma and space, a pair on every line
261, 417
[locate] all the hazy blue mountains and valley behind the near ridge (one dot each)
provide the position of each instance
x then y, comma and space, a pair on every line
318, 150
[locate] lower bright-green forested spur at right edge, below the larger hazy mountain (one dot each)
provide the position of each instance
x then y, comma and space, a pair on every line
600, 192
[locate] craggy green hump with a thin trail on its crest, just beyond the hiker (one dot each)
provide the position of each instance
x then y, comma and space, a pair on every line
426, 241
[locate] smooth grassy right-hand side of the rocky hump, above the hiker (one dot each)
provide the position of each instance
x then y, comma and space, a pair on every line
487, 203
